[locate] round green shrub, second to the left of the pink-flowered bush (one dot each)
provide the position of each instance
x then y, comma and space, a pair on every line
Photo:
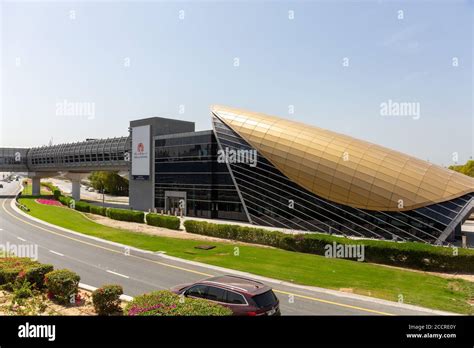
62, 285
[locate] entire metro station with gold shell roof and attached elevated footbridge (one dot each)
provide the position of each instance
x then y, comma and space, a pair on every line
269, 171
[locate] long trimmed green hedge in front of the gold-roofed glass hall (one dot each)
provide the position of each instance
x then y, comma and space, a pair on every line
407, 254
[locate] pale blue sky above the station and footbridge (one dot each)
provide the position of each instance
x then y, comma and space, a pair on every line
48, 57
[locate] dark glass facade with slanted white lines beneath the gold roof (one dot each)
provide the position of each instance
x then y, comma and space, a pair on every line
272, 199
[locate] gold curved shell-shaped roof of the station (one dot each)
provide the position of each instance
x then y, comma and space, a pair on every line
343, 169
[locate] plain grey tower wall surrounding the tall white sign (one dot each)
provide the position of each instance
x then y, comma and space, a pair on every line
142, 191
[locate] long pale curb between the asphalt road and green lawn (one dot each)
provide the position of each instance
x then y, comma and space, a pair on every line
246, 274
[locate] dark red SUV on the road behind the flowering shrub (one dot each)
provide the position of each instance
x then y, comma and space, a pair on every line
243, 296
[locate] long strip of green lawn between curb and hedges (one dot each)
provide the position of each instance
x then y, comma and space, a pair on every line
366, 279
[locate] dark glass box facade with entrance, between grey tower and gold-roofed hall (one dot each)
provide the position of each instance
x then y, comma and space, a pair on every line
186, 168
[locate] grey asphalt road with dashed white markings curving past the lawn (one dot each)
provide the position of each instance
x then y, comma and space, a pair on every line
101, 263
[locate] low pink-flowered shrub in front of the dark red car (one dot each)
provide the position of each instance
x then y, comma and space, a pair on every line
166, 303
